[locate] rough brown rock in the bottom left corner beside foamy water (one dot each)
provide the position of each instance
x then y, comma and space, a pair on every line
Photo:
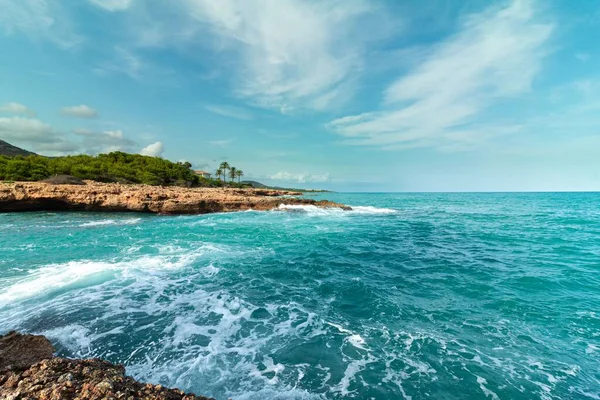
28, 371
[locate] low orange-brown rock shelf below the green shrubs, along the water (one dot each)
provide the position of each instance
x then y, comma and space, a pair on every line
94, 196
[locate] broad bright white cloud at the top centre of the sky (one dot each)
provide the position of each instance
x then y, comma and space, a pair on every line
292, 52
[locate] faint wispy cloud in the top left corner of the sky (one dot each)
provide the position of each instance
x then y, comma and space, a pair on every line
39, 19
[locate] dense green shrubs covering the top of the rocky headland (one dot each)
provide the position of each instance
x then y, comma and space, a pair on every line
112, 167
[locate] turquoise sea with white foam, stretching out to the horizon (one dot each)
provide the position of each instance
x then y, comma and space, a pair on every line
444, 296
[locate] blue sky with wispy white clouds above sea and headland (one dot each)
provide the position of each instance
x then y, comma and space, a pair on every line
441, 95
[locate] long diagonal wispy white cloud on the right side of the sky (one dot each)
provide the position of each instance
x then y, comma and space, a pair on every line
494, 56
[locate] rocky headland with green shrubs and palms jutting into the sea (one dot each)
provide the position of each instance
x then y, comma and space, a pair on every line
120, 181
